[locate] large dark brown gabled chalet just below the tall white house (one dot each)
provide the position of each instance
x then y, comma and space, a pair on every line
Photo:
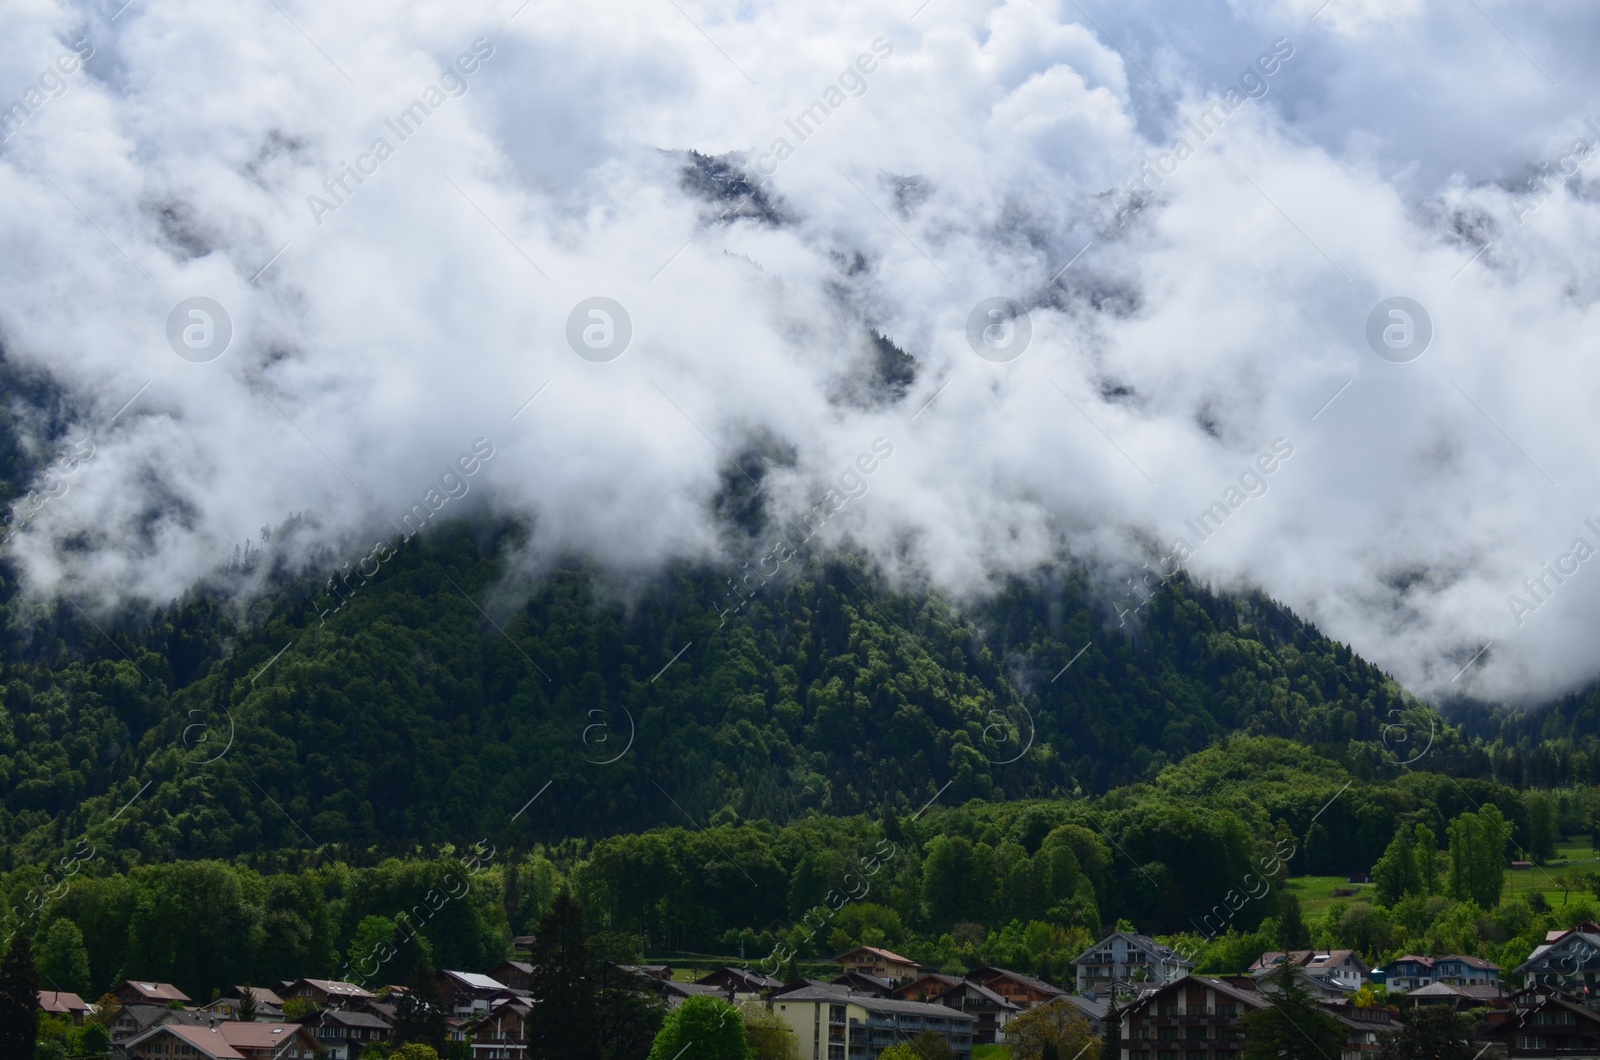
1196, 1014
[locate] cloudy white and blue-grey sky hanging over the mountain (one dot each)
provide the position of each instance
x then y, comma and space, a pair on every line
1145, 259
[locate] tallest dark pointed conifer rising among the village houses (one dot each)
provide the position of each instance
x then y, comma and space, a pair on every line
564, 1024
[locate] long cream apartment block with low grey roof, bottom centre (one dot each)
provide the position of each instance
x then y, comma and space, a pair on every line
831, 1024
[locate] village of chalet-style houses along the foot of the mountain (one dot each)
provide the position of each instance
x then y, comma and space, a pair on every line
1146, 990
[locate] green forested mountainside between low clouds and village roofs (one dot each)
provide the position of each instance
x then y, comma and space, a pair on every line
282, 765
